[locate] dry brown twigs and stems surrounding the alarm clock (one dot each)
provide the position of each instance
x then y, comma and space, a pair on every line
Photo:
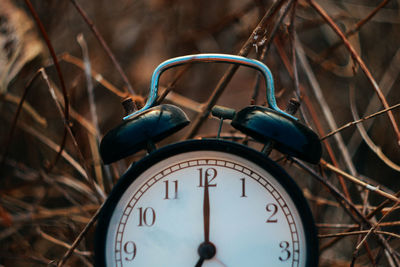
346, 67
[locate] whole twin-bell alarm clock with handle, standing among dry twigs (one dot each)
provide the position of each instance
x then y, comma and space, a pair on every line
207, 202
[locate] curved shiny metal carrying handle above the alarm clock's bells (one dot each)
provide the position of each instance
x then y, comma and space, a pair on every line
222, 58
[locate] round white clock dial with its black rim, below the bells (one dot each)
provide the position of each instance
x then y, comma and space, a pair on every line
256, 215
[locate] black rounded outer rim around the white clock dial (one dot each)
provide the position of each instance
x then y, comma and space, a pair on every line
252, 155
